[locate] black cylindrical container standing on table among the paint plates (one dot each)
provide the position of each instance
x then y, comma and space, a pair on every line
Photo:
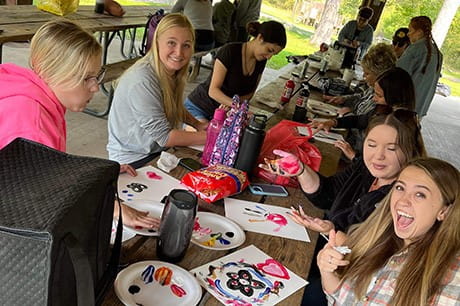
176, 225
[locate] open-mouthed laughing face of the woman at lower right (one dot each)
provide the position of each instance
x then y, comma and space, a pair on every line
416, 204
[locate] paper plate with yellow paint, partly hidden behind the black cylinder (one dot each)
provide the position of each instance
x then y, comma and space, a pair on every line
216, 232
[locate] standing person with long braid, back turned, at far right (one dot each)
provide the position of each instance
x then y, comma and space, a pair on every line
423, 61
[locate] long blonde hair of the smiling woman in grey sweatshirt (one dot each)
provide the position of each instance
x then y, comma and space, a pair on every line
172, 86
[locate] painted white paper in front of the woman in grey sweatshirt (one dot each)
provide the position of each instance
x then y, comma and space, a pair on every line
150, 184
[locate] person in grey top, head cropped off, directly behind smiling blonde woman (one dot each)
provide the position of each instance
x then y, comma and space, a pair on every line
199, 12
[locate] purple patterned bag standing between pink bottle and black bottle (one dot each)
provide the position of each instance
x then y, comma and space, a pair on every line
227, 144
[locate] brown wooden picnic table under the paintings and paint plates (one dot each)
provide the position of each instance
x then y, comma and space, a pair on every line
295, 255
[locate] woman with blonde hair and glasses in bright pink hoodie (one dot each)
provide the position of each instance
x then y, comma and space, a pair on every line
66, 72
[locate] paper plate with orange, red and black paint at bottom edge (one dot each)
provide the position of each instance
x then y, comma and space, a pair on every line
140, 284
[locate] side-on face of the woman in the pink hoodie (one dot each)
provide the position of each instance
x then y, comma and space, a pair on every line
77, 98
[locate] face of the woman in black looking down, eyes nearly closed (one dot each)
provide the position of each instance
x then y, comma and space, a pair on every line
381, 153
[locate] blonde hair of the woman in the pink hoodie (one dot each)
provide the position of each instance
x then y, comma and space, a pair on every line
61, 53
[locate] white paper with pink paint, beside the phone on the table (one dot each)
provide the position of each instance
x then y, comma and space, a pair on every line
264, 219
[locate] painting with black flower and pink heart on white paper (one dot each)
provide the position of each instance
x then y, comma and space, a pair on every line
248, 277
